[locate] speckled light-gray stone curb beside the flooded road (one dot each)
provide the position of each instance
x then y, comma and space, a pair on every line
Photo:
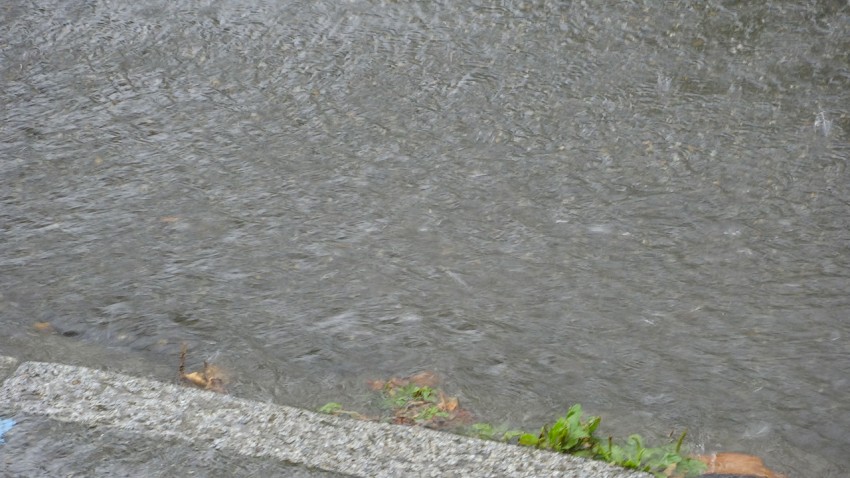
159, 410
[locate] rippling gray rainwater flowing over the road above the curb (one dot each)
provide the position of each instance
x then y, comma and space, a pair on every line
642, 207
